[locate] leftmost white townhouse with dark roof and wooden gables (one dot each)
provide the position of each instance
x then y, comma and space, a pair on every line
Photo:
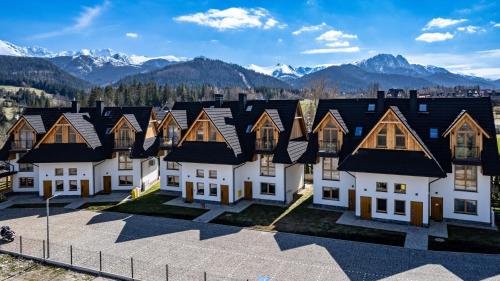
82, 151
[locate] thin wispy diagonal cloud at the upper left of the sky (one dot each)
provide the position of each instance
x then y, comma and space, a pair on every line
83, 21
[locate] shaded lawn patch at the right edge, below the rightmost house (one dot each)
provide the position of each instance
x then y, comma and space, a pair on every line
464, 239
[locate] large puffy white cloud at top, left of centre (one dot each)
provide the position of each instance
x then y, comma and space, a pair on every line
233, 18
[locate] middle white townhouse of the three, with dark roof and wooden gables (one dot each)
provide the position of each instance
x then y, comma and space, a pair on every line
226, 151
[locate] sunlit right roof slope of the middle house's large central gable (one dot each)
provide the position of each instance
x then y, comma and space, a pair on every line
223, 120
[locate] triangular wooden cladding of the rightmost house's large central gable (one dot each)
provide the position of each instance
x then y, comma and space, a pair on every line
390, 122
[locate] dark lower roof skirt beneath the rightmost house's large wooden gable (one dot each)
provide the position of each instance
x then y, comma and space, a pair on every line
398, 162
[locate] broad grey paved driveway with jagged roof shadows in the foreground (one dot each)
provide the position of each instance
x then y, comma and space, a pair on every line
232, 253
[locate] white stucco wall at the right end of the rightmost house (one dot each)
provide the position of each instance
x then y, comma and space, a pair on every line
445, 188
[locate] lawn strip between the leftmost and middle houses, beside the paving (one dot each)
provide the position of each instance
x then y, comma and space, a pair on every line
150, 203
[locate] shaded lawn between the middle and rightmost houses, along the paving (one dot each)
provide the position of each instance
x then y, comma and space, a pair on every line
298, 218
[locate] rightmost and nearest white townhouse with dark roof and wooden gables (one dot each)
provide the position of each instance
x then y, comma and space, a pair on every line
408, 160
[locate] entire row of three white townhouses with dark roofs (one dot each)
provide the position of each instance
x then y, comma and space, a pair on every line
408, 160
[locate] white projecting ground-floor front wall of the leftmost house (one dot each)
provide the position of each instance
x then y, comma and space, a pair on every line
46, 171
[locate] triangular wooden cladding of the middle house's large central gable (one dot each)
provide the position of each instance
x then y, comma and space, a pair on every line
202, 130
